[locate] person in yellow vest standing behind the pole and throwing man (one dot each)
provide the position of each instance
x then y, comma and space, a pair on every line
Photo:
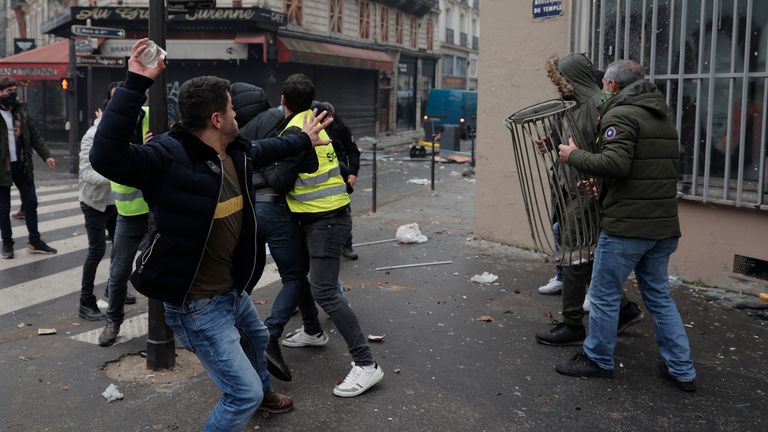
132, 226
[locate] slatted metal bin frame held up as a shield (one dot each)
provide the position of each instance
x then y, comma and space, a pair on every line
549, 187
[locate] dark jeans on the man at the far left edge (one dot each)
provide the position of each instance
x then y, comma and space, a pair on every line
26, 186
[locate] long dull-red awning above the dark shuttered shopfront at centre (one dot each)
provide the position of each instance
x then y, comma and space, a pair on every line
290, 50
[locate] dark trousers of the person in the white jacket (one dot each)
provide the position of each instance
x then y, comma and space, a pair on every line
96, 228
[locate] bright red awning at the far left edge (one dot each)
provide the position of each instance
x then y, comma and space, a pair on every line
50, 62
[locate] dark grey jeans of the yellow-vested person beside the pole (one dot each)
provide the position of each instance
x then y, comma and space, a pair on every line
129, 232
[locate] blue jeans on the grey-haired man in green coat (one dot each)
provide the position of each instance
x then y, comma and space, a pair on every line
615, 258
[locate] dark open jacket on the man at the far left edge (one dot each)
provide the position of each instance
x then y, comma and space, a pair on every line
27, 139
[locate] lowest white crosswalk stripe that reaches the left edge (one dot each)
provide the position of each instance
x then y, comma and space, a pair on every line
47, 288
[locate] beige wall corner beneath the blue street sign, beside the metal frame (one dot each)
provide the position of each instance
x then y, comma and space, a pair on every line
512, 76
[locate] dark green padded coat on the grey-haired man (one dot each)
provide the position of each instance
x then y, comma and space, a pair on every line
638, 160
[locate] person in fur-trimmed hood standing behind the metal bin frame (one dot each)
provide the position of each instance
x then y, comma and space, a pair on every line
573, 76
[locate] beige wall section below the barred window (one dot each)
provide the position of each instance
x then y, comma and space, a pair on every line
712, 236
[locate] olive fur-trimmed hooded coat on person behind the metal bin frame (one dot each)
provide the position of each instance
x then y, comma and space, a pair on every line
572, 75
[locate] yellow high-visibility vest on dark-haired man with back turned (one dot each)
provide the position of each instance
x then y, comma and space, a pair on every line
323, 190
